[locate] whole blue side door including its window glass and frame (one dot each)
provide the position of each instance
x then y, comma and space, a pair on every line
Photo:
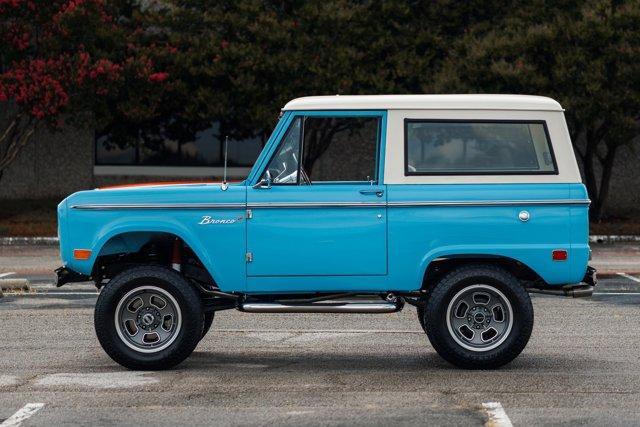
324, 215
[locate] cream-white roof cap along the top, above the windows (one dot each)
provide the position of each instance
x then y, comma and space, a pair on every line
425, 102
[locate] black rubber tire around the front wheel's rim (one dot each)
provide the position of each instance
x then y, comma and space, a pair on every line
185, 336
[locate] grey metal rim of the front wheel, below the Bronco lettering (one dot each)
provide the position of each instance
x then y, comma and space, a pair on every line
148, 319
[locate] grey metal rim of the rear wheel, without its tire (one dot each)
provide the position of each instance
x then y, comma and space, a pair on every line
479, 318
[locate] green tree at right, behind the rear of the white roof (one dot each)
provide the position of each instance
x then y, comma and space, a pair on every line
584, 54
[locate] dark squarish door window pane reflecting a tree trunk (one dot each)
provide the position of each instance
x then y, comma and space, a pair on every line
338, 149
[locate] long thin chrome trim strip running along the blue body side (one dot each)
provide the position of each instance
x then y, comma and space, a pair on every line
294, 205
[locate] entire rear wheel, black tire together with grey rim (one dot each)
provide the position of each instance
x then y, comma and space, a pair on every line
478, 317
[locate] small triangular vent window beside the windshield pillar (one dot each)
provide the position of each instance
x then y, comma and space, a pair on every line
283, 167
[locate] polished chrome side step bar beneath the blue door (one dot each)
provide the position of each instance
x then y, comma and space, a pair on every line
323, 307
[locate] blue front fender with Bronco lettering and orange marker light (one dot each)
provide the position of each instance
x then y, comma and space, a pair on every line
96, 217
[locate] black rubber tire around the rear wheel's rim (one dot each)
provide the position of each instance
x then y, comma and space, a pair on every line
464, 279
